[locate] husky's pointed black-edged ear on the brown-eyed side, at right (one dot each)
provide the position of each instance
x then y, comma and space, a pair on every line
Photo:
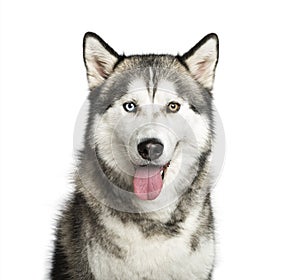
202, 60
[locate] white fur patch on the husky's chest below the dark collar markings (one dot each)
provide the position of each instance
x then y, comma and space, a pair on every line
152, 258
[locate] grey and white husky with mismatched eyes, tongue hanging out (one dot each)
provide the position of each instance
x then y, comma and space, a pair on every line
141, 206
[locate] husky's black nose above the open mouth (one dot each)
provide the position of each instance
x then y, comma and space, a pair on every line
150, 149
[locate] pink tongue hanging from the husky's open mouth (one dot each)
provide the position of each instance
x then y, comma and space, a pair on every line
147, 182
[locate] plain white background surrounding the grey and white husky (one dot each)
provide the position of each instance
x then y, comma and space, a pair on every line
257, 91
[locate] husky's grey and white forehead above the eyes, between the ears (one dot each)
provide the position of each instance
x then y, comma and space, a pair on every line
148, 80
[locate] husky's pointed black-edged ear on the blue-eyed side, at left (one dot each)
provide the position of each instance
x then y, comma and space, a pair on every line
99, 59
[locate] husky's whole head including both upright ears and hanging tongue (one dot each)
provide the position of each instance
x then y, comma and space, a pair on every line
151, 115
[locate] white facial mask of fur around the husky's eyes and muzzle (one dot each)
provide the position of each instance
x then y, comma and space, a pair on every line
117, 134
